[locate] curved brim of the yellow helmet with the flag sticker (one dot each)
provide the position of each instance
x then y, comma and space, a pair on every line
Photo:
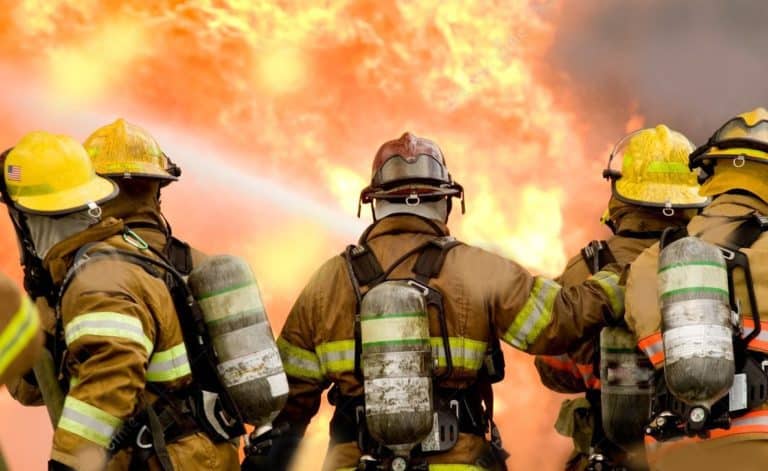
98, 190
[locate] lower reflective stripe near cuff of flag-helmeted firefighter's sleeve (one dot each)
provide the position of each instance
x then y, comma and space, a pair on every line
88, 421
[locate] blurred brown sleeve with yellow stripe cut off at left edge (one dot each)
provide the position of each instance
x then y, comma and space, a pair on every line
20, 336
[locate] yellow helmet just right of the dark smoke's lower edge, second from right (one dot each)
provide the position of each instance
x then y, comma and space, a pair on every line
654, 170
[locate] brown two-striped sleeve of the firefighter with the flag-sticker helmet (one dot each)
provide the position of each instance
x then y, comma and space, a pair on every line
109, 331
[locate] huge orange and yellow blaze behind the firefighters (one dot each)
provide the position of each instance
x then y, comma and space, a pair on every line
304, 95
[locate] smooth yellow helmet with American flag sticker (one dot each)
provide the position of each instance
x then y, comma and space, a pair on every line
51, 174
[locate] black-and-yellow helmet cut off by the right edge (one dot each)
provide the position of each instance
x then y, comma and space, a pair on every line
744, 137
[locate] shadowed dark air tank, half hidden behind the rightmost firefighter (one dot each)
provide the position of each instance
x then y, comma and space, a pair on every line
626, 386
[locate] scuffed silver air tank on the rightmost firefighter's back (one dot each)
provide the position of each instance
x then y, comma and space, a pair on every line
696, 324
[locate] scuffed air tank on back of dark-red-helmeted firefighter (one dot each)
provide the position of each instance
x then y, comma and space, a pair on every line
397, 365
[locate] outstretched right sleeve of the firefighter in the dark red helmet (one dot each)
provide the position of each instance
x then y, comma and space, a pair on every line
538, 315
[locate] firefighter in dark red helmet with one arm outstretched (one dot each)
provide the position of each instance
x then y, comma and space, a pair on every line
474, 298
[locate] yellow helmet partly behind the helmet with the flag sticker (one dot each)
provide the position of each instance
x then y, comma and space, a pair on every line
124, 150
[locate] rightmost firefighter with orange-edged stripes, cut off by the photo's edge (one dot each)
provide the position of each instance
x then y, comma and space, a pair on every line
732, 432
